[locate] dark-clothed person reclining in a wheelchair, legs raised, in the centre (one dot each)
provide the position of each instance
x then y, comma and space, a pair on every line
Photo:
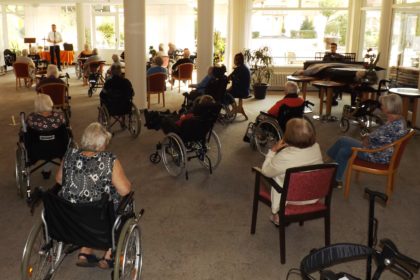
188, 136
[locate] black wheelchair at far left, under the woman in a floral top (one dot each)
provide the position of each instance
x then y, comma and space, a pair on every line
35, 146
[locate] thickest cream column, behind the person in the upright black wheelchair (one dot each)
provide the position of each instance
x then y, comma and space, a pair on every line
135, 48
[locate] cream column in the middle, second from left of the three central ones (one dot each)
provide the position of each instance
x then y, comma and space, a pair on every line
205, 17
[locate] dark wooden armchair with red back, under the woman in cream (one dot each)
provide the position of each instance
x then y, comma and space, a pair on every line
300, 184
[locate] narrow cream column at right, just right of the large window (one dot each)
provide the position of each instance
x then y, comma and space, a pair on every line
385, 31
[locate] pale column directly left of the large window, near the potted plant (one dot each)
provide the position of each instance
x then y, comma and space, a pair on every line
239, 27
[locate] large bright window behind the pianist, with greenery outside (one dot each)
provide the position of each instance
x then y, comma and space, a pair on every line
295, 30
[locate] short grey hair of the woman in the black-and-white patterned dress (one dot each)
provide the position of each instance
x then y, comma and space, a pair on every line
95, 137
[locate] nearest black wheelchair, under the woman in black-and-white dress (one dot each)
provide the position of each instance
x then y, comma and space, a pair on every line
64, 227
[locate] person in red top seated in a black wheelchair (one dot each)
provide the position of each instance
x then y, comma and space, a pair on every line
269, 127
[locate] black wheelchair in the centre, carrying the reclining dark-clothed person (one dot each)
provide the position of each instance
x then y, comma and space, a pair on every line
195, 139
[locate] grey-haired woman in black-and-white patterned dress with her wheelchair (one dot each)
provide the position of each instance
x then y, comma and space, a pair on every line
87, 212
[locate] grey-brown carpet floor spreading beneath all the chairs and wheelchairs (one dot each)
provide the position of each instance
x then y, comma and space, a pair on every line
200, 228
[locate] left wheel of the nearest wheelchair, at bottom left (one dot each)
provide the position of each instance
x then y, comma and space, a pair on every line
39, 256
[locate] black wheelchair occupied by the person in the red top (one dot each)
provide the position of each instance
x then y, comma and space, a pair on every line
268, 130
